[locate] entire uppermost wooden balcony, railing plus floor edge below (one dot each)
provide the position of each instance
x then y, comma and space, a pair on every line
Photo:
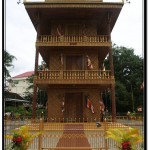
52, 40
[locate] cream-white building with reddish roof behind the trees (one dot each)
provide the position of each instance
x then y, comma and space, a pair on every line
19, 83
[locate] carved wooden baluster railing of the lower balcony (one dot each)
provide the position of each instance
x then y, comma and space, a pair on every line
73, 74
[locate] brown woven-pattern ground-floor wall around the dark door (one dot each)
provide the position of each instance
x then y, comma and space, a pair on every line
55, 98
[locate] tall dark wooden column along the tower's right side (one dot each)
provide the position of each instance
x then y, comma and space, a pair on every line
112, 72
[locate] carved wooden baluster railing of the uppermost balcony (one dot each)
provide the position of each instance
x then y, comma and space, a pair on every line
73, 40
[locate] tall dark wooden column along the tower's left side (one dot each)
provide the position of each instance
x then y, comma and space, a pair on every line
35, 71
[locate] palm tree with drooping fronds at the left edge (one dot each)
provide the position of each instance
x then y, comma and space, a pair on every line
8, 59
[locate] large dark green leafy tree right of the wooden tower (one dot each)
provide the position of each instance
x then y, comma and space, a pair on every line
128, 72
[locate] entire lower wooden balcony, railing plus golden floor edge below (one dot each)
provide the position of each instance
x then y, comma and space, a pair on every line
74, 77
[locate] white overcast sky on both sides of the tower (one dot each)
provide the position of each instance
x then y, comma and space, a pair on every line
20, 35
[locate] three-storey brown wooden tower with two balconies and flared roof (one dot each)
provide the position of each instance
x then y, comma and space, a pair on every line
74, 38
